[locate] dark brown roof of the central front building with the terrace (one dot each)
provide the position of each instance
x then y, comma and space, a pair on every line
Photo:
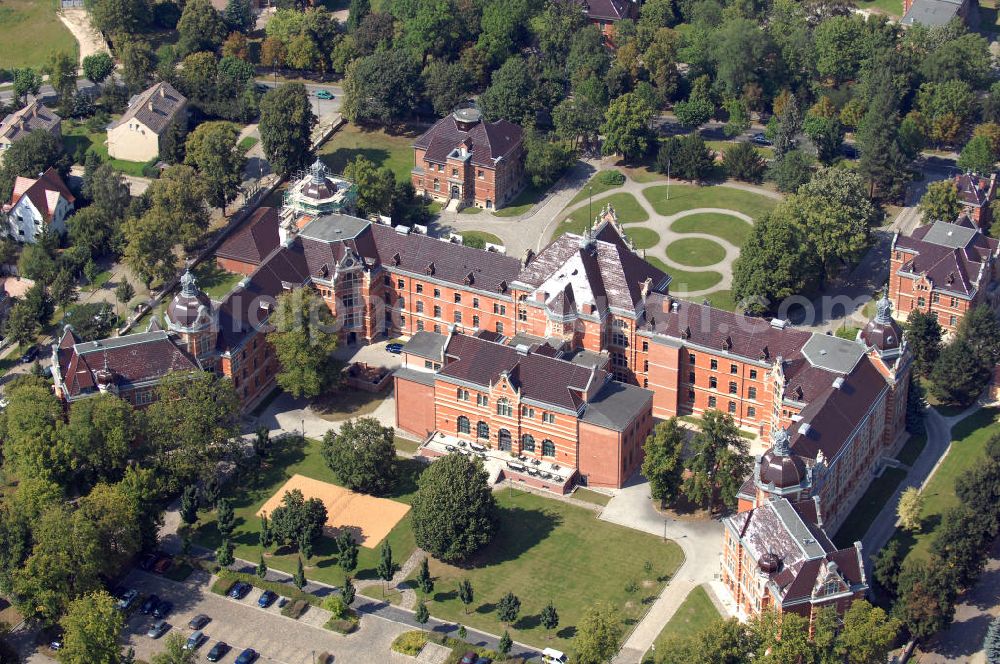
540, 378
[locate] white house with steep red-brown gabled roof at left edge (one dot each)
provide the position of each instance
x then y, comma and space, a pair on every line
37, 204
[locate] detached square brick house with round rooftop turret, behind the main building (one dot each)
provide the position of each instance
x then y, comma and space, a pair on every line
466, 159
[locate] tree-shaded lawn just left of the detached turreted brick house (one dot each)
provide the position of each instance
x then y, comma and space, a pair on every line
377, 146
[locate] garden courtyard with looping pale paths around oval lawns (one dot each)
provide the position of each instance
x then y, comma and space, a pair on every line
694, 233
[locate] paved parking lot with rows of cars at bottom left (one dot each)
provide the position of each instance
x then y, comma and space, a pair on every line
242, 624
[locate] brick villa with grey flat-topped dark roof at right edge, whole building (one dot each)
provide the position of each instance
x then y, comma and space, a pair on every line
945, 268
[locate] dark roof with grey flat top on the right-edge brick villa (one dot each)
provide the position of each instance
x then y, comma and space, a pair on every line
950, 255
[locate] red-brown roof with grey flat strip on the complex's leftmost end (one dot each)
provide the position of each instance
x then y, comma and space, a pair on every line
132, 359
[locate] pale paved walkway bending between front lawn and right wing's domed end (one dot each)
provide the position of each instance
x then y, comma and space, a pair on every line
701, 542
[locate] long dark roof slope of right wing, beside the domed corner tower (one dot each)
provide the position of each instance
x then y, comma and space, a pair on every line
830, 418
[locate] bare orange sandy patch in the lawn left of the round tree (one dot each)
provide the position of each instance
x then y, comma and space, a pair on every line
369, 518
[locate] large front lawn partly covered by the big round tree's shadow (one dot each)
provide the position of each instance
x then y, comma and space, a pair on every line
545, 551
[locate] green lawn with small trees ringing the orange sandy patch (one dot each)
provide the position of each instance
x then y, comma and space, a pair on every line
249, 493
